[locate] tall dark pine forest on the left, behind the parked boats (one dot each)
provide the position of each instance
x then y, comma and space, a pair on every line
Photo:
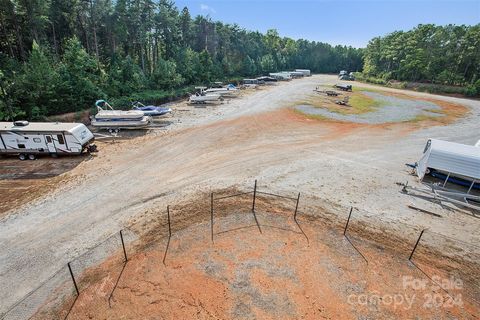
60, 56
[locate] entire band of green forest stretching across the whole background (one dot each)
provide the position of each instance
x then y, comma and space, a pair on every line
59, 56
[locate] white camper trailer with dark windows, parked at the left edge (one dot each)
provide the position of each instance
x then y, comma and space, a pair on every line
27, 140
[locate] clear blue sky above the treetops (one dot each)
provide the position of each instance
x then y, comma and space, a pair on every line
336, 22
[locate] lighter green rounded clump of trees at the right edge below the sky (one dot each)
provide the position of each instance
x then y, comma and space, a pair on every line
446, 55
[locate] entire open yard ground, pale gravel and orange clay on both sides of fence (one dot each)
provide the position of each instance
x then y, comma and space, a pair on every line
53, 210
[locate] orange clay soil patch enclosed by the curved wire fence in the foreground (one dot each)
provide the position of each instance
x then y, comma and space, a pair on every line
274, 272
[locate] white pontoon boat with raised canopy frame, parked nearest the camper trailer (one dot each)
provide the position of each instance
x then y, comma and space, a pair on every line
117, 119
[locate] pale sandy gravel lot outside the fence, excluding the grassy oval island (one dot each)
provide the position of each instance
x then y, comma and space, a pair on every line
202, 149
